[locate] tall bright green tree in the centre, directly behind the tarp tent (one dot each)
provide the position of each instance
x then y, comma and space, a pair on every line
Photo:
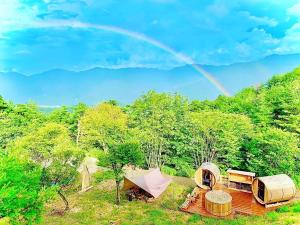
160, 119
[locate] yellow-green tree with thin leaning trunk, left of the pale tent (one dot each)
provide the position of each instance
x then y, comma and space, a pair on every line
52, 148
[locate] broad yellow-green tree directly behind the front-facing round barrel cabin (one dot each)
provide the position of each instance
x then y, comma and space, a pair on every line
219, 136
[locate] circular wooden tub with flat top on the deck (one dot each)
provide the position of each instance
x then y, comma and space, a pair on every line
218, 203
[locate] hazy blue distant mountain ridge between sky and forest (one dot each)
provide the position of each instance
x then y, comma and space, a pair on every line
63, 87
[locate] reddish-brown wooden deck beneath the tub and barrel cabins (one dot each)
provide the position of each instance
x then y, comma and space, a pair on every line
242, 203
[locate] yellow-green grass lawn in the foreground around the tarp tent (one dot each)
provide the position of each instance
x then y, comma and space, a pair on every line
97, 207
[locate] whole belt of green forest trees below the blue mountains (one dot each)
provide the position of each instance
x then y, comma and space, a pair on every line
258, 130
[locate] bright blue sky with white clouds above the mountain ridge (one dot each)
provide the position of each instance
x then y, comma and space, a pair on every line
40, 35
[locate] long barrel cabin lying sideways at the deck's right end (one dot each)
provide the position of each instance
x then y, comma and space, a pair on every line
273, 189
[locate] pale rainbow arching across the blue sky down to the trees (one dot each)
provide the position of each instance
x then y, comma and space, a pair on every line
135, 35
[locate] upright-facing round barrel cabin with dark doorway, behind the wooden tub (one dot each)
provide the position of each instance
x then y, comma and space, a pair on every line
207, 175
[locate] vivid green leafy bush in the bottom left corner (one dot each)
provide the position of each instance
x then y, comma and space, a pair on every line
21, 197
